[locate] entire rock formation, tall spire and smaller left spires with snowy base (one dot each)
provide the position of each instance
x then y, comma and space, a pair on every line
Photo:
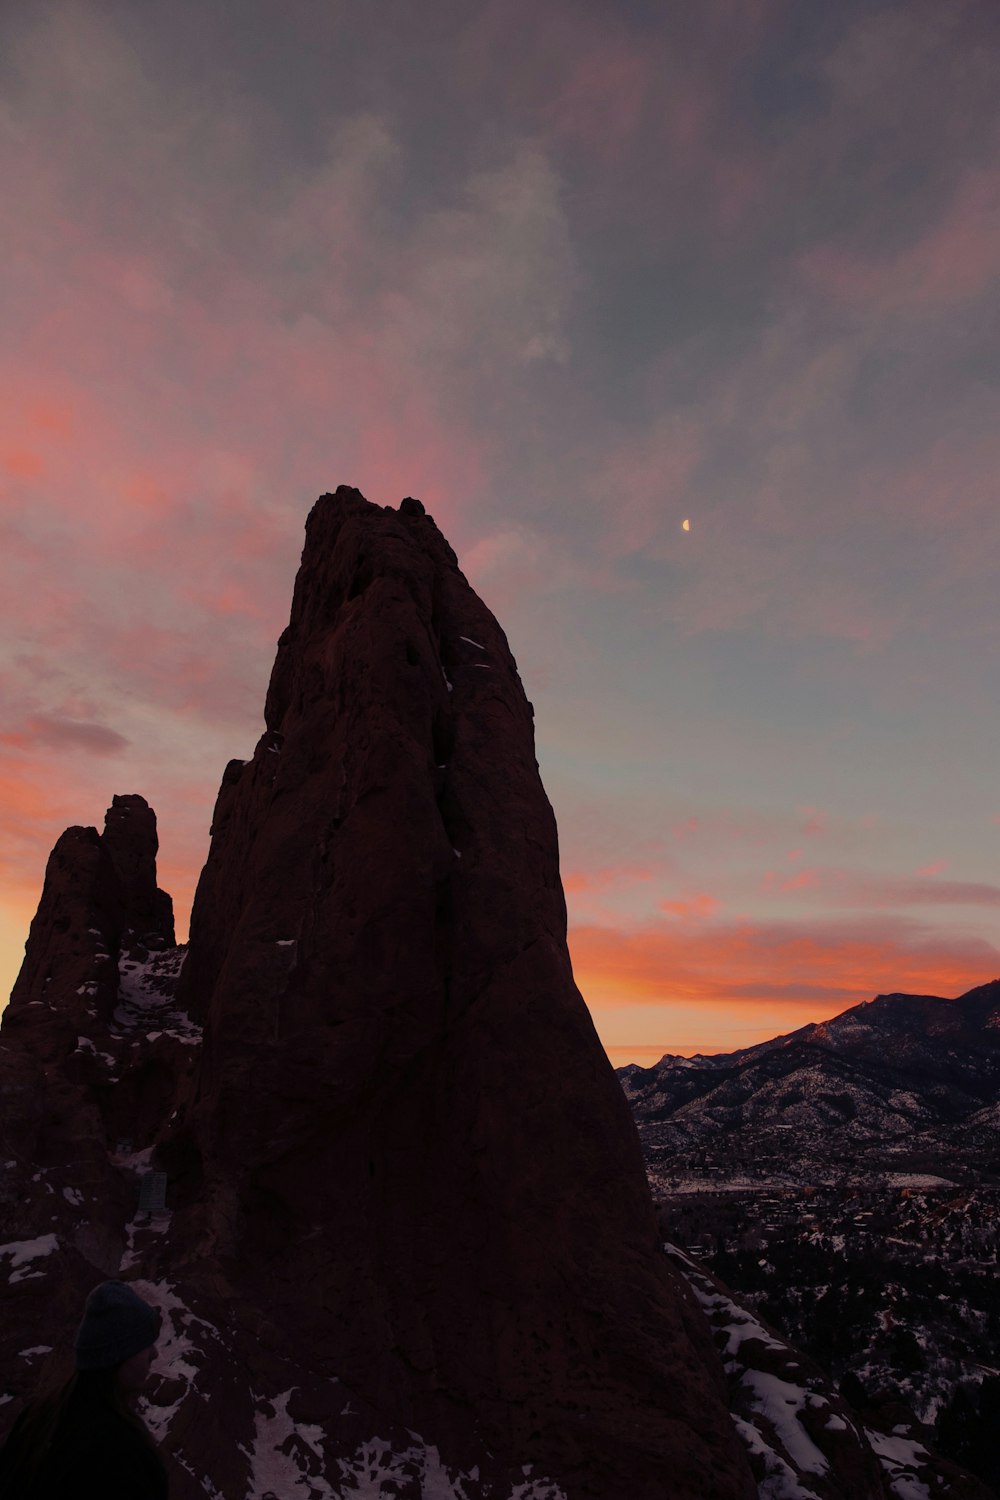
409, 1243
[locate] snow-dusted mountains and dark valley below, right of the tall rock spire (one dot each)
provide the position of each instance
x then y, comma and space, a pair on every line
845, 1183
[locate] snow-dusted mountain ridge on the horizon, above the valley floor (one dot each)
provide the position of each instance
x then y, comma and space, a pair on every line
903, 1075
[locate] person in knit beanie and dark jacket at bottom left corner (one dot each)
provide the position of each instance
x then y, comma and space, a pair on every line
86, 1441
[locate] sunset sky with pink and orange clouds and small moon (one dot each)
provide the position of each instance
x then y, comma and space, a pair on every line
573, 275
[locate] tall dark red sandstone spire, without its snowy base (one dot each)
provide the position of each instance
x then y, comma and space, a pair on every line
410, 1130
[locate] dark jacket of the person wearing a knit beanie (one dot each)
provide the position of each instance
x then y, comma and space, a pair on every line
95, 1454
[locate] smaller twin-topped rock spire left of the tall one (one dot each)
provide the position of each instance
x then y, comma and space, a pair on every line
77, 1084
